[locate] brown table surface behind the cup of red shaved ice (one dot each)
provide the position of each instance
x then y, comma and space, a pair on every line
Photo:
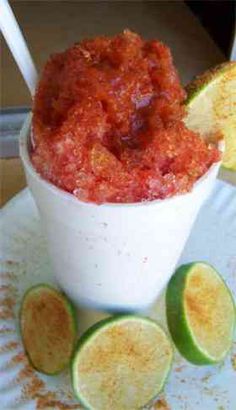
52, 26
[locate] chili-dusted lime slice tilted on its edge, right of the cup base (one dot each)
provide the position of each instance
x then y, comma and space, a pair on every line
200, 313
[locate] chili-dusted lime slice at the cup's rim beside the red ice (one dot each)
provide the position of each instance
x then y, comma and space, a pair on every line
211, 105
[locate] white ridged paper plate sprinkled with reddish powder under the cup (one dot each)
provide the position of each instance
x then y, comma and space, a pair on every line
25, 262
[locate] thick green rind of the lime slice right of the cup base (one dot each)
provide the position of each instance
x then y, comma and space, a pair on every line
178, 323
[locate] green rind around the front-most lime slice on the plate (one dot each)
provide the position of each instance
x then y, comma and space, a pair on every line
90, 335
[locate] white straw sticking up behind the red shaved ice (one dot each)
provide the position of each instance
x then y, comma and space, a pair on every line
17, 44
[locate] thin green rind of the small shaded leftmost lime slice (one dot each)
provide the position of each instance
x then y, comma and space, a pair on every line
71, 310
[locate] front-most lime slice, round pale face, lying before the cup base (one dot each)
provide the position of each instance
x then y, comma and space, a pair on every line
121, 363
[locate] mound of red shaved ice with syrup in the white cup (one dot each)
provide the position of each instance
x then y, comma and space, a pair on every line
108, 123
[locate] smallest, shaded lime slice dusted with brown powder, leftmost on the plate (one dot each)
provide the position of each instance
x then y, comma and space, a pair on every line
48, 327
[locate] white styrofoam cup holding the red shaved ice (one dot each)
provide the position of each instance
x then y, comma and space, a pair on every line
113, 256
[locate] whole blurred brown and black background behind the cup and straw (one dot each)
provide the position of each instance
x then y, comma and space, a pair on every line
200, 34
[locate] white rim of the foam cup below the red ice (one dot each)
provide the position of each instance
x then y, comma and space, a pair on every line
24, 155
